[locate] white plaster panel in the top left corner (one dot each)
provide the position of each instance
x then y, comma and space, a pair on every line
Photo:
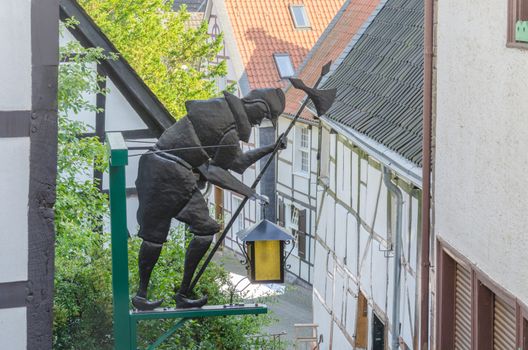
15, 55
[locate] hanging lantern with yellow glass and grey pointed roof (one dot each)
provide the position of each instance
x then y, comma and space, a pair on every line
264, 249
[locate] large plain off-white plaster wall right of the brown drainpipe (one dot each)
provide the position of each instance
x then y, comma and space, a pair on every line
481, 196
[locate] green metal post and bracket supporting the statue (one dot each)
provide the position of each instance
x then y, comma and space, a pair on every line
126, 320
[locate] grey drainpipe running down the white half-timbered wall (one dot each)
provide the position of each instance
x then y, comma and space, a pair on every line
397, 259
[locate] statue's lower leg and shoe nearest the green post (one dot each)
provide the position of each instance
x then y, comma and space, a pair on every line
148, 257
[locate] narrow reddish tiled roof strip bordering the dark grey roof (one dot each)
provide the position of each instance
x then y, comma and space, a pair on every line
329, 47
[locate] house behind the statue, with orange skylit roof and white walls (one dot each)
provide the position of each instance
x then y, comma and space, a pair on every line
264, 43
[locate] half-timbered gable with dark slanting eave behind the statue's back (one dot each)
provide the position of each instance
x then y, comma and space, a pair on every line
129, 106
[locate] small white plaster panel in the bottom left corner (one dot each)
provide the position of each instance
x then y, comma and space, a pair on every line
13, 328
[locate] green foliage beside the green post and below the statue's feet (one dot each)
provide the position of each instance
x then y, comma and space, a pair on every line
83, 294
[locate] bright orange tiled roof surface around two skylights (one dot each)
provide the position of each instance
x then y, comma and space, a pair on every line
264, 27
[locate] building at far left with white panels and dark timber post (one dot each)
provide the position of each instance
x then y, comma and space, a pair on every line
28, 143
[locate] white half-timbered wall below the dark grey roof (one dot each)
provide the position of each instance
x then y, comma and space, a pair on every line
354, 231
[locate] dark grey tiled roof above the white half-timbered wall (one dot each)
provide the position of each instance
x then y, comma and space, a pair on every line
380, 80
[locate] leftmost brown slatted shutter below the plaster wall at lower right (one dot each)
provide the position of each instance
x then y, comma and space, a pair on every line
462, 308
